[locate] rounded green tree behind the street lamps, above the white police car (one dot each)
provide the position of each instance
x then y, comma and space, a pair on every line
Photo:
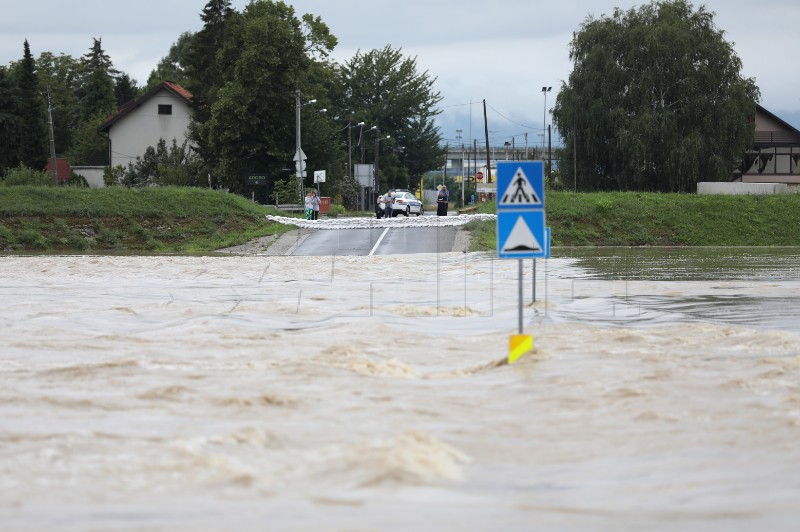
384, 89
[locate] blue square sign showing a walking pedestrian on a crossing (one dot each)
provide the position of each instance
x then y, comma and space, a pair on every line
520, 185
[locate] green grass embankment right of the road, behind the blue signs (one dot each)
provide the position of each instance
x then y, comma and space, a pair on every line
650, 219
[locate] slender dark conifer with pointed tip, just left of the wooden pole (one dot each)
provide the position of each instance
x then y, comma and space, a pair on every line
33, 138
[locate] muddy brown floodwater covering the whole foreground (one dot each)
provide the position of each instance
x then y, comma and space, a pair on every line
370, 392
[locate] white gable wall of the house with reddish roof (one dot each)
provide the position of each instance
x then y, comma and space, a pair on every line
143, 127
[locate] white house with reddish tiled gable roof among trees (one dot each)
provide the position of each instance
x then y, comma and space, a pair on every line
164, 112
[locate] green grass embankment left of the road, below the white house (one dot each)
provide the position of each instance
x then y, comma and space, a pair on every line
156, 220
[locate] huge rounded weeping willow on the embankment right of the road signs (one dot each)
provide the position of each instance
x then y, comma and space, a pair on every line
655, 101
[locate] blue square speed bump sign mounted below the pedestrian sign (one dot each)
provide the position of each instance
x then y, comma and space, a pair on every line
521, 235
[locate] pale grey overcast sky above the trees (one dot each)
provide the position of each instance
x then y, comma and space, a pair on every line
503, 52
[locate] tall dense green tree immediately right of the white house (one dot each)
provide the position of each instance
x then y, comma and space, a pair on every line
267, 55
